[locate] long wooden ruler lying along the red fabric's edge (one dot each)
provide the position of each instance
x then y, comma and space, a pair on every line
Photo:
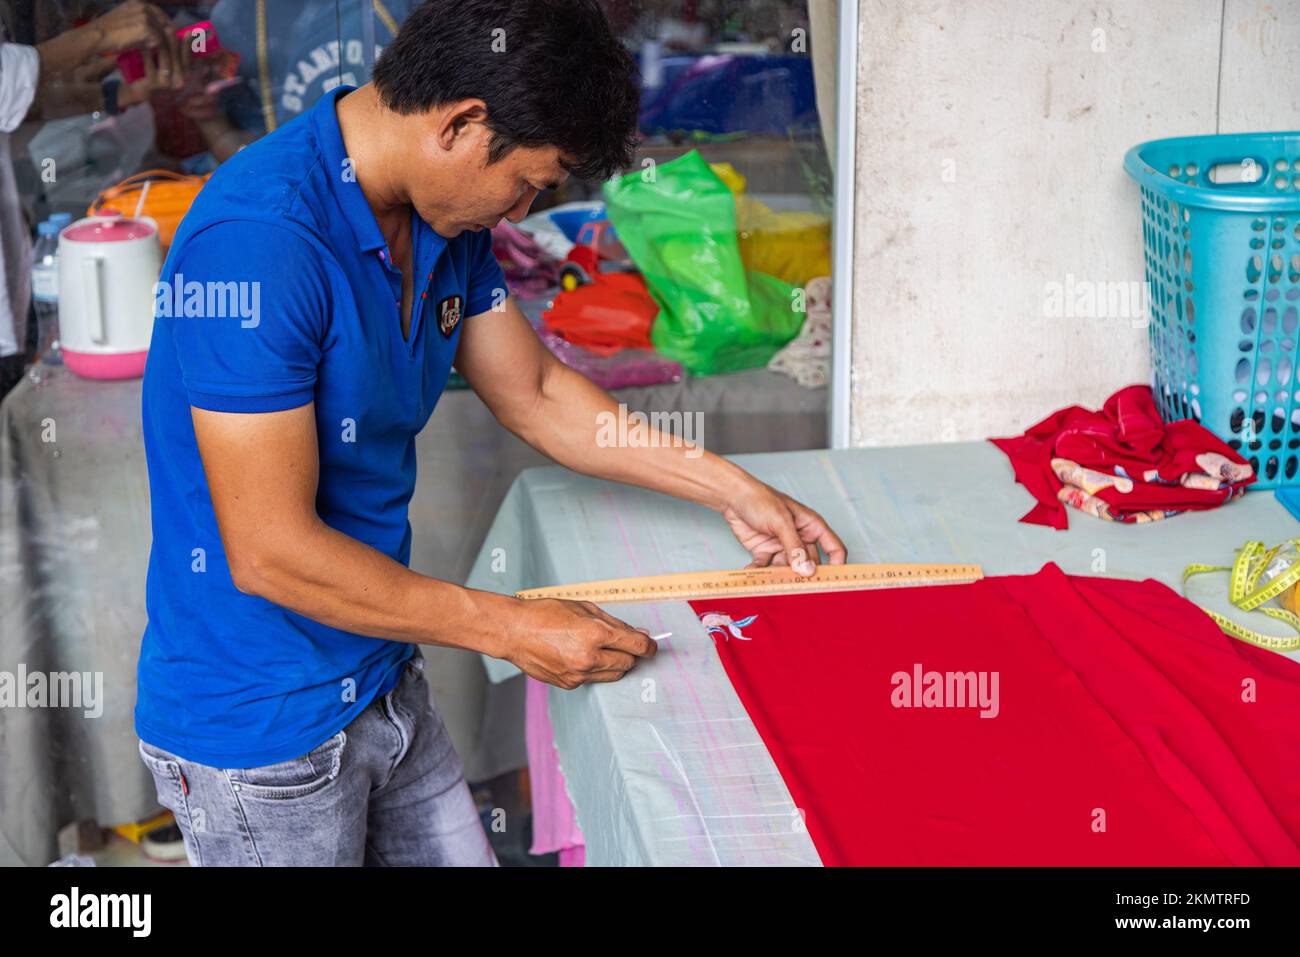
756, 582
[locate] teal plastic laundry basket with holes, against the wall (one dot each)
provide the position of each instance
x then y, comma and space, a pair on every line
1221, 236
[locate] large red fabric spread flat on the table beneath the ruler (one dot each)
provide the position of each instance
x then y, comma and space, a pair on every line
1111, 695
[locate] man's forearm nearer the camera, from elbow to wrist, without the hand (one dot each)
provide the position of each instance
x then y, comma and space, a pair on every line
330, 577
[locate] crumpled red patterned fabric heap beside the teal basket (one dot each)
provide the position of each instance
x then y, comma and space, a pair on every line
1128, 438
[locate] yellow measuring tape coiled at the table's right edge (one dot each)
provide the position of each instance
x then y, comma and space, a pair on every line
1246, 592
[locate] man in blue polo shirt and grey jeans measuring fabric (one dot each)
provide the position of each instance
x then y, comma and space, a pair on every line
309, 314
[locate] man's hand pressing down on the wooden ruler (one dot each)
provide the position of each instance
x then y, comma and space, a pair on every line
777, 530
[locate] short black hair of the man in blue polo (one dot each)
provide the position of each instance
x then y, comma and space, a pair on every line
564, 79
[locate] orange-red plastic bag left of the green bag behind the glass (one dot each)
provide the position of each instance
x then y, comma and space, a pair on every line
613, 311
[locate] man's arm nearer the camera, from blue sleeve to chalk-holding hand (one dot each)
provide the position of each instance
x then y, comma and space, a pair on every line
250, 392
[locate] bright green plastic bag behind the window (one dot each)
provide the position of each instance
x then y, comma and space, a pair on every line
679, 227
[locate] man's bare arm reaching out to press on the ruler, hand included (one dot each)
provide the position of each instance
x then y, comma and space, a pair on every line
560, 413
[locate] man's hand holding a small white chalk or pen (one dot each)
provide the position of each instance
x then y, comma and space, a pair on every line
570, 644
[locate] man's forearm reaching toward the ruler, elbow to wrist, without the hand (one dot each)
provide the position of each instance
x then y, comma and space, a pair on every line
567, 422
